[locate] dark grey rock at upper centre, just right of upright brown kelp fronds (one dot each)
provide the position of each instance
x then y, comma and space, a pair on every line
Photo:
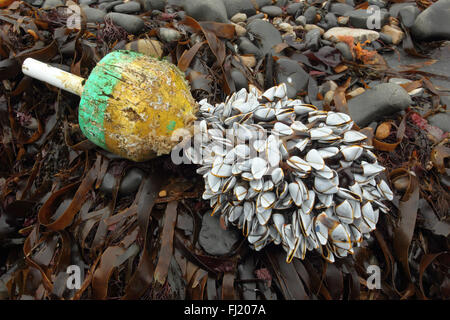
266, 35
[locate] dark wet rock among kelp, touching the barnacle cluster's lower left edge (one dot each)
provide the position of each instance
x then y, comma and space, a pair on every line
213, 239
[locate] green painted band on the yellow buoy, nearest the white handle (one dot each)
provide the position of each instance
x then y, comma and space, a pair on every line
97, 92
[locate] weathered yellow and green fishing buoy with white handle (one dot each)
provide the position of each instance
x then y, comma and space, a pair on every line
131, 103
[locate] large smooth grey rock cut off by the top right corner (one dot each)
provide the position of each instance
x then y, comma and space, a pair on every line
433, 23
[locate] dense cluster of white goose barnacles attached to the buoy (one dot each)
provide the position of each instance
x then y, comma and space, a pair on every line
285, 172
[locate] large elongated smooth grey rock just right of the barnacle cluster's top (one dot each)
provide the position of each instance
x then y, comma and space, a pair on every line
382, 100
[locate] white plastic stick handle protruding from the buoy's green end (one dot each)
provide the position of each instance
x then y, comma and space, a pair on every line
54, 76
